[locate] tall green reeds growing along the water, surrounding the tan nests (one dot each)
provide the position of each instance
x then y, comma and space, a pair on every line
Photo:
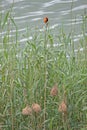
28, 74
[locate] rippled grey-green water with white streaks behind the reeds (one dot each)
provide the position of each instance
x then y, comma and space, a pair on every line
30, 13
